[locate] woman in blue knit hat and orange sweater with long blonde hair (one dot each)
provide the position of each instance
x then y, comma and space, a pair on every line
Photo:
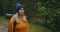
21, 24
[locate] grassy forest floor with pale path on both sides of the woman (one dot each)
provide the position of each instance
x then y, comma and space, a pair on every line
33, 27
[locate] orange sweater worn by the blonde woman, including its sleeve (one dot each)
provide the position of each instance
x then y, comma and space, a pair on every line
22, 26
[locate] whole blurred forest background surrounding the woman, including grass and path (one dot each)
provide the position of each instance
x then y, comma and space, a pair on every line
42, 15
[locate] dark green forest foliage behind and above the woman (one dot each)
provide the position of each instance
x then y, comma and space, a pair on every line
42, 12
